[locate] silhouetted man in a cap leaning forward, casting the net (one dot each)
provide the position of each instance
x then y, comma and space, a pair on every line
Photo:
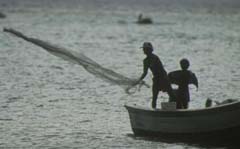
160, 78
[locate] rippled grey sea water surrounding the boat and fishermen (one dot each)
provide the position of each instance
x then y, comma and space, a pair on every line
46, 102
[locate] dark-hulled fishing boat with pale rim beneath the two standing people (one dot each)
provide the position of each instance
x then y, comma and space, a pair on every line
214, 123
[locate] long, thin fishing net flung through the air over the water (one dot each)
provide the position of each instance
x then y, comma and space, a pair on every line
87, 63
